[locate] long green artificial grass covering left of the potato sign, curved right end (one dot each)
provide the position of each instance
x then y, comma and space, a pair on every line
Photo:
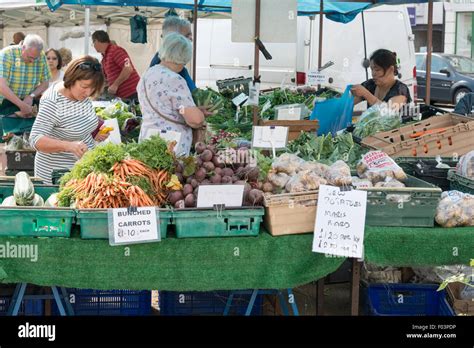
199, 264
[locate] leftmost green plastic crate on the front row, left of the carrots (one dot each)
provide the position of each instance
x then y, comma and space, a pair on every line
36, 221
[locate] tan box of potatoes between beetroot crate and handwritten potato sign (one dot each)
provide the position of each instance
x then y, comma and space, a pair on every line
292, 213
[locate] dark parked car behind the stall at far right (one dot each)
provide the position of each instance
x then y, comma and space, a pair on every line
452, 77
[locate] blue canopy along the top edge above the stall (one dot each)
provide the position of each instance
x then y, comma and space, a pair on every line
339, 11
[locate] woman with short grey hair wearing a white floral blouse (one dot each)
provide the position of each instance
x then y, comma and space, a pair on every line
167, 103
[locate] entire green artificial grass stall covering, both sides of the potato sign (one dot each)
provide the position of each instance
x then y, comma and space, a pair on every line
203, 264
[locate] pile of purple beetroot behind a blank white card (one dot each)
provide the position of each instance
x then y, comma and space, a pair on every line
212, 167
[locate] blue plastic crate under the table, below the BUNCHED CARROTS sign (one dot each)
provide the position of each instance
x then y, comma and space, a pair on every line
108, 302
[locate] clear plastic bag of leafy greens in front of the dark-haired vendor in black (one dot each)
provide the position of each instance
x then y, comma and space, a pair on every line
378, 118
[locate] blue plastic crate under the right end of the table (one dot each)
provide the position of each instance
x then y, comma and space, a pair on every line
407, 300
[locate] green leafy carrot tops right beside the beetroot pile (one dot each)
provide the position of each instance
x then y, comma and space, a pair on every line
153, 152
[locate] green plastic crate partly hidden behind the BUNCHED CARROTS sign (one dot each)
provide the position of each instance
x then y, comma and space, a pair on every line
94, 223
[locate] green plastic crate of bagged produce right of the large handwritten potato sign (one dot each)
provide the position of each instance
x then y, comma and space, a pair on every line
416, 209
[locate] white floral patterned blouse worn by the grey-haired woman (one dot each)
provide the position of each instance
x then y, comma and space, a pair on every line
168, 93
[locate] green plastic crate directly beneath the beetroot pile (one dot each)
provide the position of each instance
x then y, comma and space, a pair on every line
231, 222
